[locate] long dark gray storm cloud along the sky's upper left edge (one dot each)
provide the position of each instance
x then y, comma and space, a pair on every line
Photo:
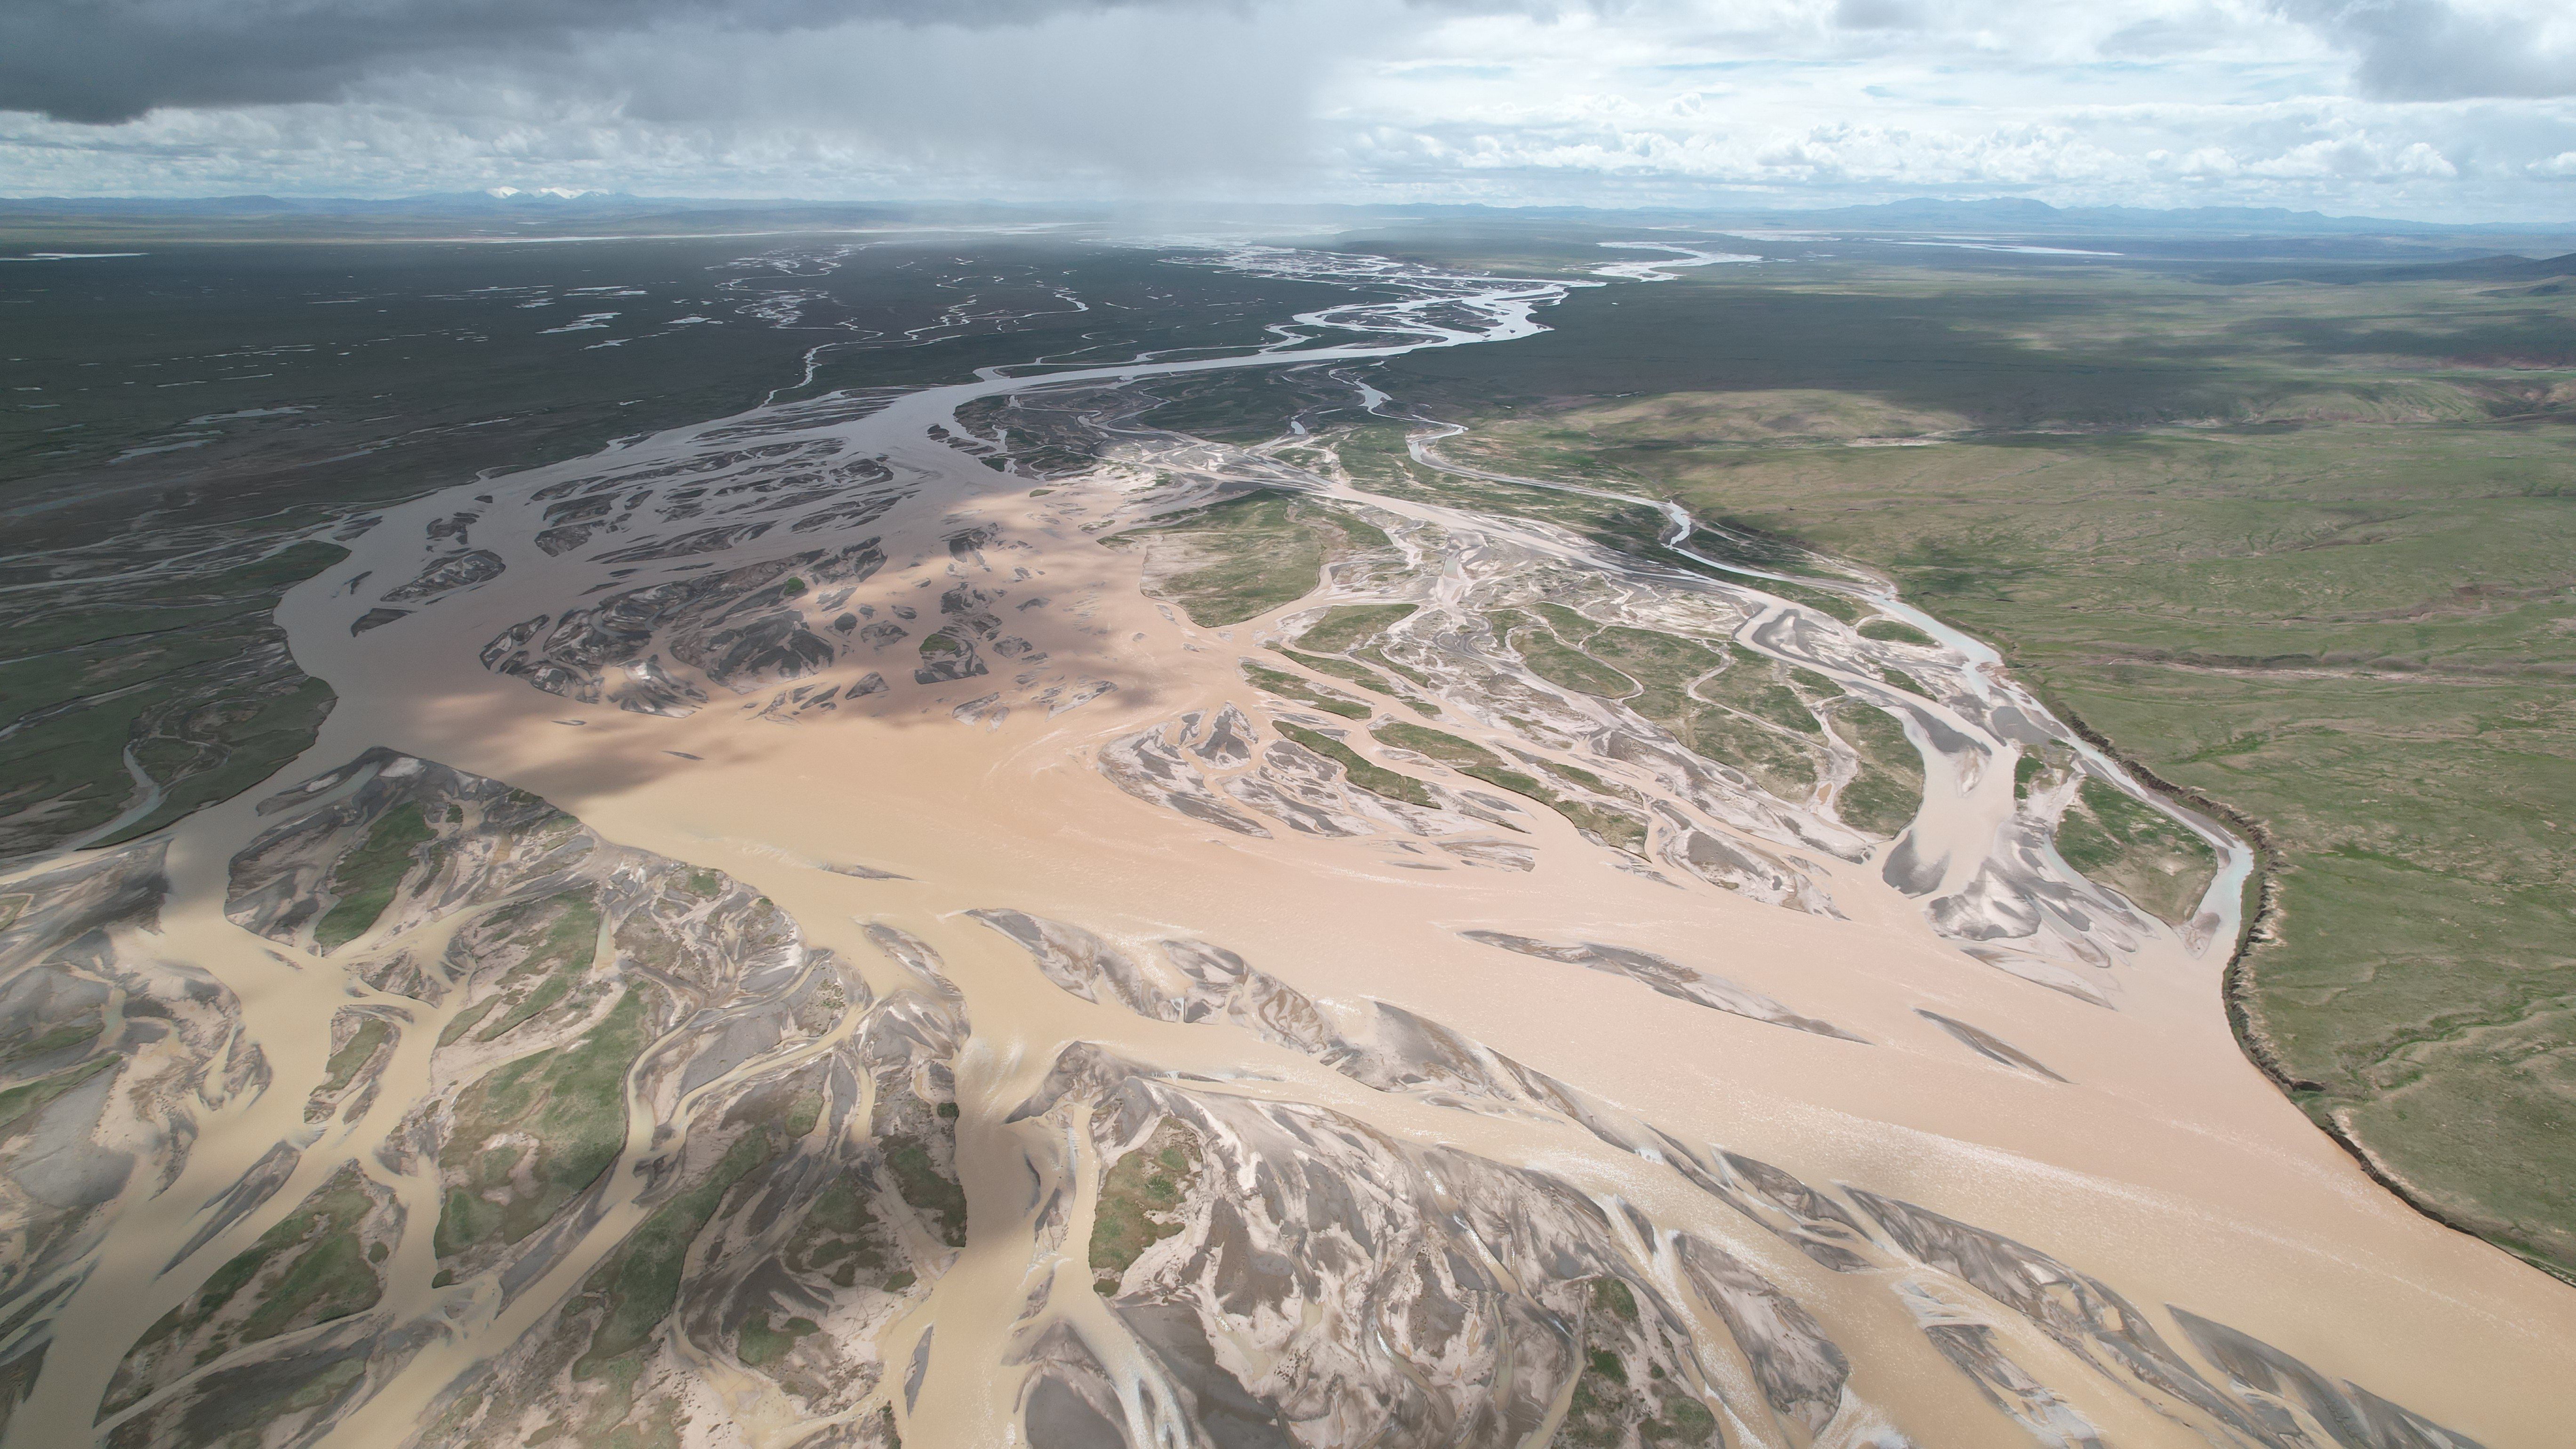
112, 61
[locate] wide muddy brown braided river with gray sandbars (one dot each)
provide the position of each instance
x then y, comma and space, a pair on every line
913, 837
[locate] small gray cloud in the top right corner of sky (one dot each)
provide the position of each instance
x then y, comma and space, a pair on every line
2430, 50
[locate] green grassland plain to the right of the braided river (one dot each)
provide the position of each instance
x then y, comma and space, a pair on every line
2299, 548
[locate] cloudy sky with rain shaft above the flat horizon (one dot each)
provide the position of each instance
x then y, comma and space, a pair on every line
2430, 110
